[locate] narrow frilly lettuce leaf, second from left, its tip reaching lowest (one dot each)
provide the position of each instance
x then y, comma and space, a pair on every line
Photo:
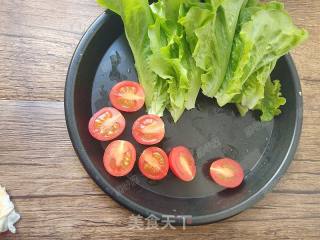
167, 54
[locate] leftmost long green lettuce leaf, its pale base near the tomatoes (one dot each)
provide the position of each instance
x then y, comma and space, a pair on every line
137, 16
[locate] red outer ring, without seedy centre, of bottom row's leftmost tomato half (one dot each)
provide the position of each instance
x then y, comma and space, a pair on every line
106, 159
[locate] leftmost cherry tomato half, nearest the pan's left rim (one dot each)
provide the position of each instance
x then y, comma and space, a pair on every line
106, 124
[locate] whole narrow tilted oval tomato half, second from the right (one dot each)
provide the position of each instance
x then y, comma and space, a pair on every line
182, 163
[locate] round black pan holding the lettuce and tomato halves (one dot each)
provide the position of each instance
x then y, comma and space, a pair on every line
264, 149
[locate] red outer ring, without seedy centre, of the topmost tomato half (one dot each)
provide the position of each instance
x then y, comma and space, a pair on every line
113, 97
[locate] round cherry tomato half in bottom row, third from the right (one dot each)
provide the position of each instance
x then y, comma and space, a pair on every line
153, 163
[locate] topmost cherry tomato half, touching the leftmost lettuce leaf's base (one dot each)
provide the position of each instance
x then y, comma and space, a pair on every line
127, 96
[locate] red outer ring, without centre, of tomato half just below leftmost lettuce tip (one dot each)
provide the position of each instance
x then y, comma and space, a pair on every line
135, 130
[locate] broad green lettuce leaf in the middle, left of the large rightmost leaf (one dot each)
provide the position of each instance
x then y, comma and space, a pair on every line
212, 37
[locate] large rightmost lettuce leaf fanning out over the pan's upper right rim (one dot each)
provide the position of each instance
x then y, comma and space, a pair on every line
266, 32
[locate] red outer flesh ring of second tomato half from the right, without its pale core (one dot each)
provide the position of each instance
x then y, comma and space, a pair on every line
173, 158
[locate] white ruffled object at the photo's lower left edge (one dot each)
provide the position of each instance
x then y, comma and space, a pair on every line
8, 216
